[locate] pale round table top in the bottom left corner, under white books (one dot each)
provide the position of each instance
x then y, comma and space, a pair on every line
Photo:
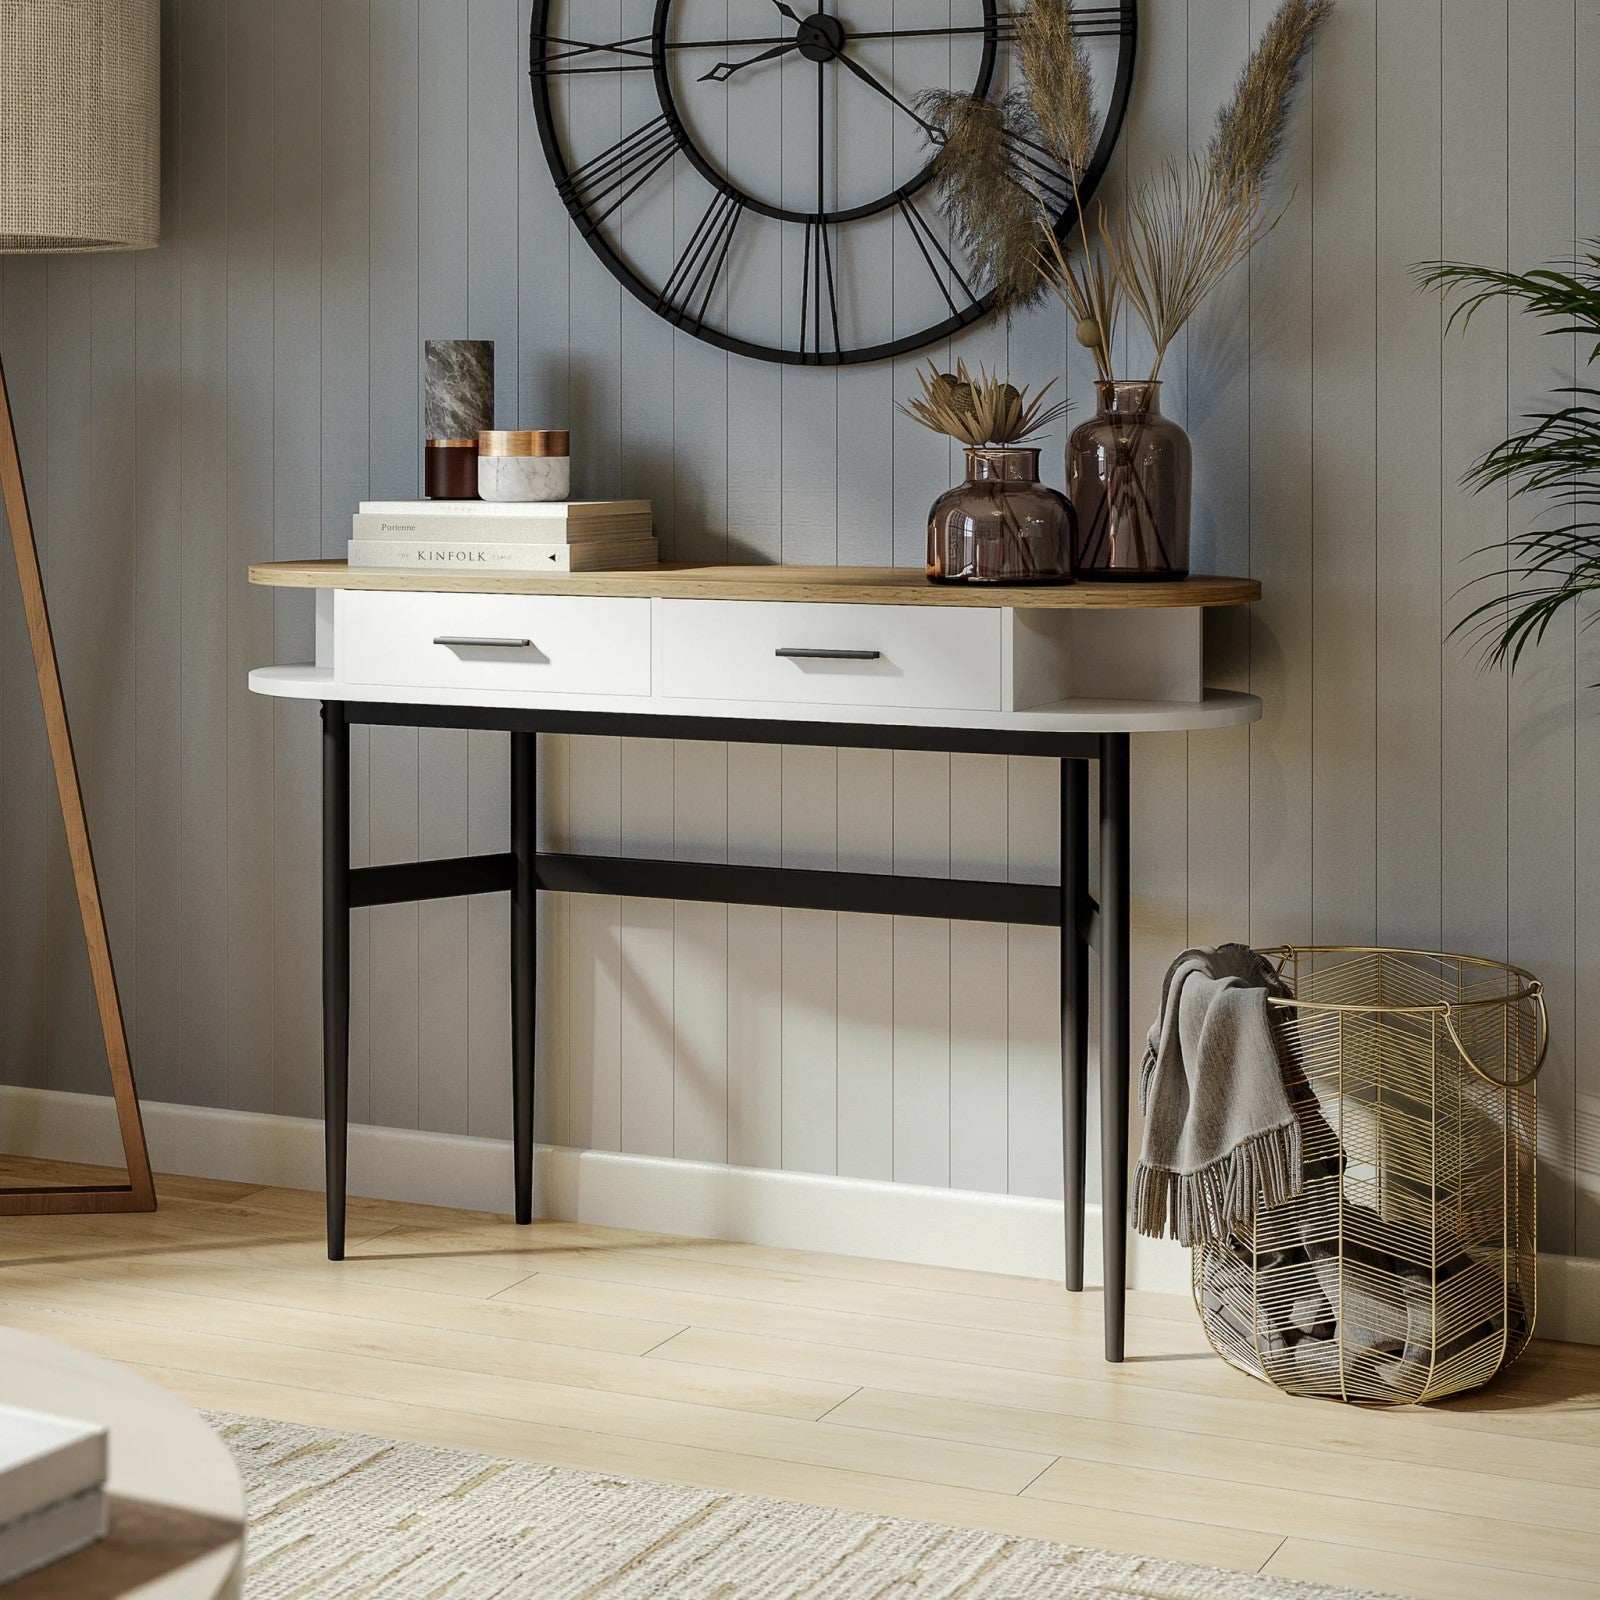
177, 1503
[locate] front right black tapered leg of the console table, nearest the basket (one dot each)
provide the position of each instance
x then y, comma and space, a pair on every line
1114, 1033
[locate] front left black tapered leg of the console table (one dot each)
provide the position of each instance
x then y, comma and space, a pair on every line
335, 962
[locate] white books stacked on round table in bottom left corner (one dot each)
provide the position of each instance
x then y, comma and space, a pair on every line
52, 1489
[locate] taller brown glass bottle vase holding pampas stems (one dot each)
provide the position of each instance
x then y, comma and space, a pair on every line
1129, 473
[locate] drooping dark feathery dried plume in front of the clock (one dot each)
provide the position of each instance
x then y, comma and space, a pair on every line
993, 215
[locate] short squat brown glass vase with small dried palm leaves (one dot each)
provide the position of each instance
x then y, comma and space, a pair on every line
1002, 526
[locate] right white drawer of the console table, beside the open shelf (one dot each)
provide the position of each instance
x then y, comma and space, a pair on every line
806, 654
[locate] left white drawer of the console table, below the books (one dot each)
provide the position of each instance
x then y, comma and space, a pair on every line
522, 644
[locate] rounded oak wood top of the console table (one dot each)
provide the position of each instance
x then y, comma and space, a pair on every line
839, 585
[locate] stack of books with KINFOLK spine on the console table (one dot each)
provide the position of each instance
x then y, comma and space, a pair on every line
486, 537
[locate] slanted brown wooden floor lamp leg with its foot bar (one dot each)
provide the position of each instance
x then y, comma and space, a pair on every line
138, 1194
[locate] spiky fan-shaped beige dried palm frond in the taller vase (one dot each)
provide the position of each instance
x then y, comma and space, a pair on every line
1175, 239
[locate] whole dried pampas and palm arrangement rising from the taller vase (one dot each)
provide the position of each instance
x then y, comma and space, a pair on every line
1177, 234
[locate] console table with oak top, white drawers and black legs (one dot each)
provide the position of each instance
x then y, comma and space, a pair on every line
774, 655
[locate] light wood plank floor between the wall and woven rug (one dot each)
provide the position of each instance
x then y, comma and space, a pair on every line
911, 1391
